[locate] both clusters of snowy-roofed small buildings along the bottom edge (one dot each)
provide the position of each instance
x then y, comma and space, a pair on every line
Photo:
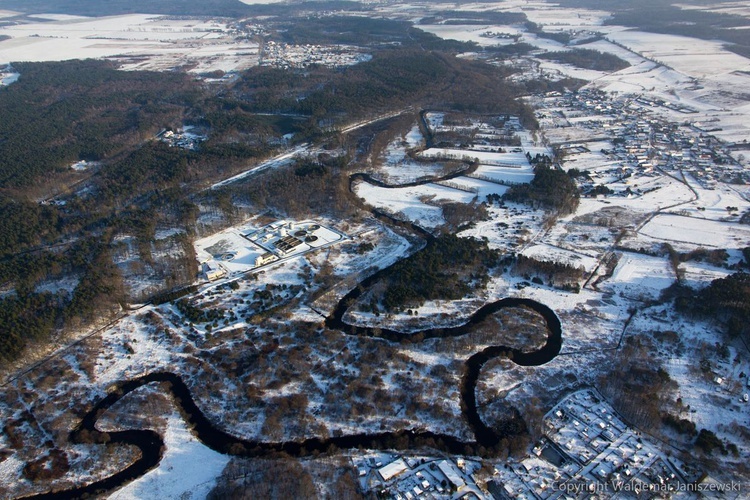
587, 449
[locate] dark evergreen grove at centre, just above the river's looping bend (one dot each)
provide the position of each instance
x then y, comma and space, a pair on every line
448, 268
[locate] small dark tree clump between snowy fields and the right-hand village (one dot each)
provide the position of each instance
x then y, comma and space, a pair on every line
551, 189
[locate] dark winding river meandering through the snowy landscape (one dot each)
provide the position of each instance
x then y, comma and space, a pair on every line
211, 434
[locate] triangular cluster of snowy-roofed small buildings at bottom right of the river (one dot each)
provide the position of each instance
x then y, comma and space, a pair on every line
588, 449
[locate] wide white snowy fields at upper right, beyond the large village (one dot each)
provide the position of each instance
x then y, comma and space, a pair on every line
700, 73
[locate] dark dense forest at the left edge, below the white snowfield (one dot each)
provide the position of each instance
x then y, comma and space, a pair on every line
55, 110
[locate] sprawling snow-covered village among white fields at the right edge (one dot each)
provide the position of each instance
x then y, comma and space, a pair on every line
636, 137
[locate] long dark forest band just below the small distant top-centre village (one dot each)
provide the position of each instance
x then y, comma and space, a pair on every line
394, 78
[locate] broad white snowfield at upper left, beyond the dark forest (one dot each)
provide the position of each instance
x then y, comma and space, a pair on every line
135, 41
